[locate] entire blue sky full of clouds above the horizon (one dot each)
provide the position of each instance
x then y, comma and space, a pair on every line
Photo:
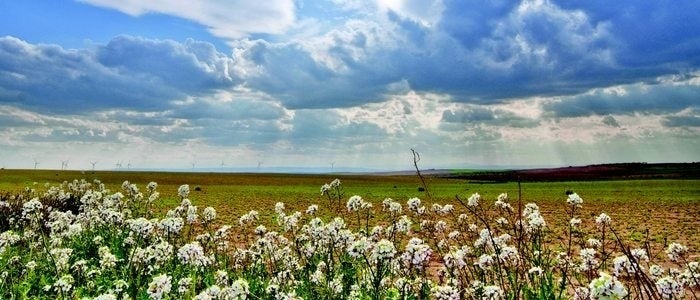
347, 83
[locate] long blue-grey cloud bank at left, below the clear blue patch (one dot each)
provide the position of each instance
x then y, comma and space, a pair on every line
128, 72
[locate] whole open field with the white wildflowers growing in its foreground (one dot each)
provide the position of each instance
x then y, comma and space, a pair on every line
376, 248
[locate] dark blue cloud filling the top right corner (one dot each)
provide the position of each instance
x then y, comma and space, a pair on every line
653, 36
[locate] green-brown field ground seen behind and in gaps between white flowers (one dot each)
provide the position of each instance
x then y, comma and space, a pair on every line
657, 211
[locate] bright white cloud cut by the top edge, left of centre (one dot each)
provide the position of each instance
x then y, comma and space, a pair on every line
226, 19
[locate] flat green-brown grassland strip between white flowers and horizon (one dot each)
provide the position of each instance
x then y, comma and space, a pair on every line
668, 208
